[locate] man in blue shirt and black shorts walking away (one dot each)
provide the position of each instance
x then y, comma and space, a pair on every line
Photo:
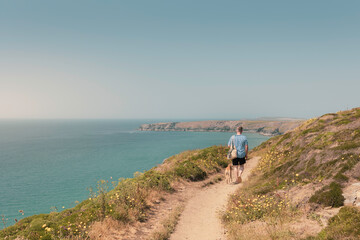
241, 144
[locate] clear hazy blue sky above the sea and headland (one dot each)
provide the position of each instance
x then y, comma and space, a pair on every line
178, 59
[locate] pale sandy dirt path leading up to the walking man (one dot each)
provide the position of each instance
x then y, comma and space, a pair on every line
200, 219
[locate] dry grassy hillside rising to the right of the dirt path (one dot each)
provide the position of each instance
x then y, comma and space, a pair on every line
299, 183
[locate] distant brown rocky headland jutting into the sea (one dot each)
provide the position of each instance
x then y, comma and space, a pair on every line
270, 128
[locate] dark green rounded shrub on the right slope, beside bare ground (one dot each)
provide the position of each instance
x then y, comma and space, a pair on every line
329, 196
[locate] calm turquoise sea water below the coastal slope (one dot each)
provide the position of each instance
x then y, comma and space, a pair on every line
51, 163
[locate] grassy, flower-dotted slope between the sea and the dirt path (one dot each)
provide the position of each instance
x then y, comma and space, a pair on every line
128, 203
